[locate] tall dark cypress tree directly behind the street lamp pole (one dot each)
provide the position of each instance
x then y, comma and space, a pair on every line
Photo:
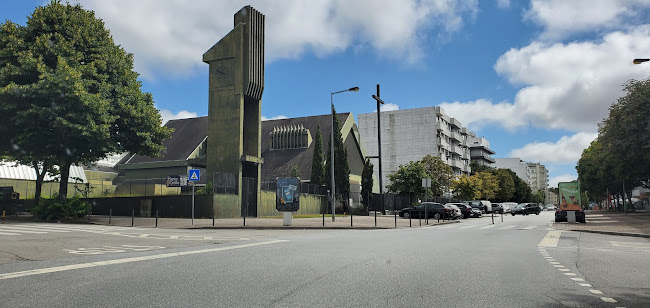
341, 166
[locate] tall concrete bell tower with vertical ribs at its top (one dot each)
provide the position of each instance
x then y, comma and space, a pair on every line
236, 84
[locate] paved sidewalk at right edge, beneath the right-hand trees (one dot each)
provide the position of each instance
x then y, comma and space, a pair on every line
632, 224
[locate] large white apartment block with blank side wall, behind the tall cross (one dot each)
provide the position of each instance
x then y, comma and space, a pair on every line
411, 134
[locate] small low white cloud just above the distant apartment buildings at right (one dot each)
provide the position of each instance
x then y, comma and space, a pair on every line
565, 151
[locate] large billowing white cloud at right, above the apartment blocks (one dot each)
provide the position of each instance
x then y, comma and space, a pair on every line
565, 86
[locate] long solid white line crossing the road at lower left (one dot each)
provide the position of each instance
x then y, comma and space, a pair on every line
128, 260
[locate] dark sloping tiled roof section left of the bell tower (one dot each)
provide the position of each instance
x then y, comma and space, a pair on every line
187, 135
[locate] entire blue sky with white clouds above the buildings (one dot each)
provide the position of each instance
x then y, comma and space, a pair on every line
532, 77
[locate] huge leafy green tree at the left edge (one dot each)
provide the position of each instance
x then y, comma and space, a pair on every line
72, 91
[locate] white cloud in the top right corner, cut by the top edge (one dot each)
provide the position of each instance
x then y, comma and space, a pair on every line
562, 18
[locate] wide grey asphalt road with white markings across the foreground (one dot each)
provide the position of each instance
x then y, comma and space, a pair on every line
516, 263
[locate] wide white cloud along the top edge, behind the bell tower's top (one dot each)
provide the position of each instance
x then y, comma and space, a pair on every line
172, 36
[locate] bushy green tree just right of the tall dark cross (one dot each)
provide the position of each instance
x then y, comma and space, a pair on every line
407, 180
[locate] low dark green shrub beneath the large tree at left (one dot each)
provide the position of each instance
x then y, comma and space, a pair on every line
49, 209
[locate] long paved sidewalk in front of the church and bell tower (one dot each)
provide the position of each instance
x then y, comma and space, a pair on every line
342, 222
